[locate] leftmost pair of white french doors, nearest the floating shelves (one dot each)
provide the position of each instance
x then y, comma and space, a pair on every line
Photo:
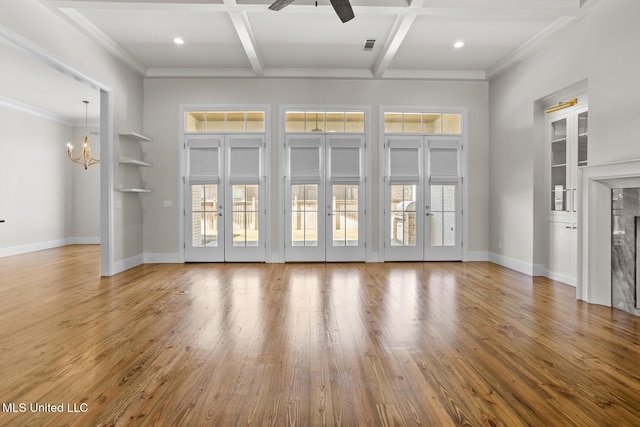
224, 198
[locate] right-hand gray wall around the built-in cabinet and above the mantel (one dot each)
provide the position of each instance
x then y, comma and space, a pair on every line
601, 49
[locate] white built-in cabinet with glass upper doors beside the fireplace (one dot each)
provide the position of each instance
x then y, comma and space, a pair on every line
567, 139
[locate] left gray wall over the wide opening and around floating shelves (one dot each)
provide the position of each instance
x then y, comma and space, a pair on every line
53, 34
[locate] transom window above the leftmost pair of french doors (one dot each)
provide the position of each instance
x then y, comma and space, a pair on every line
224, 121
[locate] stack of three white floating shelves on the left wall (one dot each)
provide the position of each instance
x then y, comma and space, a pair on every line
132, 158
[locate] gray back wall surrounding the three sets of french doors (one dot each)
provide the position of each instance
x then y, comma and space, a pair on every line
161, 122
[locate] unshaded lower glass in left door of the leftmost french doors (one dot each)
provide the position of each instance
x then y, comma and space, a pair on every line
204, 219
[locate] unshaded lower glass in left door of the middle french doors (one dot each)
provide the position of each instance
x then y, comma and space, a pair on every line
304, 215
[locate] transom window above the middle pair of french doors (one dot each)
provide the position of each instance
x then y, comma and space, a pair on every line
325, 121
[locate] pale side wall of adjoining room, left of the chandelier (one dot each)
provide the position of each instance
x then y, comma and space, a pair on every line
35, 178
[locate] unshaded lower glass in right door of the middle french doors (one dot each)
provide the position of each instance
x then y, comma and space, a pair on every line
345, 215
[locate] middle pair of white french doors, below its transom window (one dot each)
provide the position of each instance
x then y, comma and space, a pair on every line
324, 193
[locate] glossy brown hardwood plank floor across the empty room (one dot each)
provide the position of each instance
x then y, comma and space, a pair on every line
430, 344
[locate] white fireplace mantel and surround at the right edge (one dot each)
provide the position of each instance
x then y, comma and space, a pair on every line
594, 222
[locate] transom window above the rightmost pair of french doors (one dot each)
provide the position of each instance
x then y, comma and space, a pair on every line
422, 123
